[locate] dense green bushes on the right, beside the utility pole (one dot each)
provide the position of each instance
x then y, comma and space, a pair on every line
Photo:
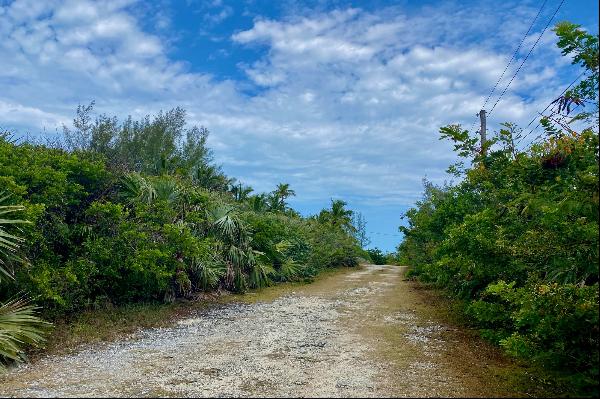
517, 237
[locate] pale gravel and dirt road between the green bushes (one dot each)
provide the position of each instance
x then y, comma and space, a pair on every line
361, 332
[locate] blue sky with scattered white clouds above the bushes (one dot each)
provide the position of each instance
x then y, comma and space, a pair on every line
341, 99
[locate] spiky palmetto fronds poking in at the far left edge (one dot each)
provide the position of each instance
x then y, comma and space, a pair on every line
19, 325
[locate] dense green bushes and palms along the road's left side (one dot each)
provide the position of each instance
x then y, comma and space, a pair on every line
121, 213
